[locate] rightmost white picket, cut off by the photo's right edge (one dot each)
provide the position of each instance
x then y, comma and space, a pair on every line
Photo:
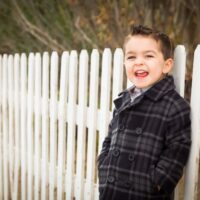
191, 181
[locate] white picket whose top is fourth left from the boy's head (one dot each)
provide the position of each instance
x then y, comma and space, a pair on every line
81, 134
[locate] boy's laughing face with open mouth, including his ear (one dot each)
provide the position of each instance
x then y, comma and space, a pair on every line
144, 62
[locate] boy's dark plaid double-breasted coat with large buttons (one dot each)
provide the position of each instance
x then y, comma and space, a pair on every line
147, 145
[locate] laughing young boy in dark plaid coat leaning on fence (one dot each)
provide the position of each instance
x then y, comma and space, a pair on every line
148, 142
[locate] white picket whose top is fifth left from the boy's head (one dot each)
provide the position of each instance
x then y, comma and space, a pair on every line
71, 127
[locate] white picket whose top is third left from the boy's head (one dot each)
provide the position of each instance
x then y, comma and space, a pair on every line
92, 125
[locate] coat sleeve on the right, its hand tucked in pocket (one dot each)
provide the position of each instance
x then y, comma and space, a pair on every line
169, 168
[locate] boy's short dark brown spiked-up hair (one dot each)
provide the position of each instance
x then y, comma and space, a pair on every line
165, 42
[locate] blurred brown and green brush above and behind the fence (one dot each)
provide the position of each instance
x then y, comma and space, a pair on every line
46, 25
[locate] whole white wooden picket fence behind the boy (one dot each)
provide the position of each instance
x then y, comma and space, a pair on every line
54, 115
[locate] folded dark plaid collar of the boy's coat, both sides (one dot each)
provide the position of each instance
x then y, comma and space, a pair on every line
154, 93
